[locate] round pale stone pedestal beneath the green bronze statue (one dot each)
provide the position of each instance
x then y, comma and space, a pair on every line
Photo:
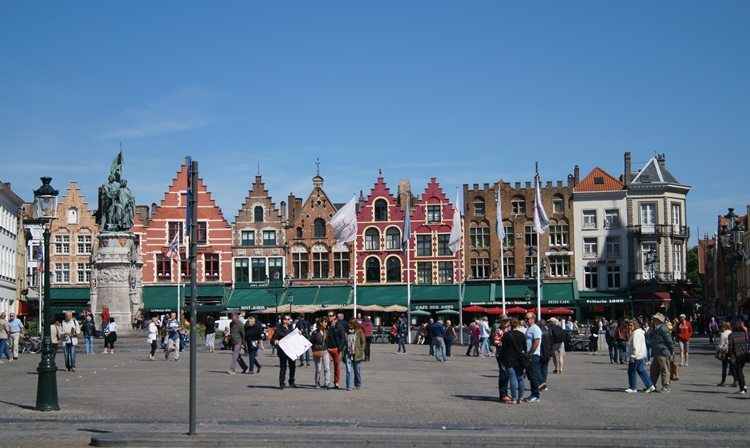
116, 279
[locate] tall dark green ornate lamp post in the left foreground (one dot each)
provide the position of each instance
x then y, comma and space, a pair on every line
46, 391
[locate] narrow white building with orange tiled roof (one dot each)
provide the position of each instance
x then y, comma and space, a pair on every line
602, 239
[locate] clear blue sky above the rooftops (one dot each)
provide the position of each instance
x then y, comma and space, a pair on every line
467, 92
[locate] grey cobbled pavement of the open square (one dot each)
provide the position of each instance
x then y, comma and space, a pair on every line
405, 400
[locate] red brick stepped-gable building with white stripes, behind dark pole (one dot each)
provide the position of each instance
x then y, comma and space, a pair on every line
156, 231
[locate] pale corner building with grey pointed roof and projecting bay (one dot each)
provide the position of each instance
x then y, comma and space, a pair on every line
657, 224
